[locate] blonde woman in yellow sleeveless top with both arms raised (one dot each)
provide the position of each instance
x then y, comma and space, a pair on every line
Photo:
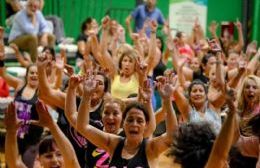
125, 79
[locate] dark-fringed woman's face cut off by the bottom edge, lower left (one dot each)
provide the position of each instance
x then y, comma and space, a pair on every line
52, 159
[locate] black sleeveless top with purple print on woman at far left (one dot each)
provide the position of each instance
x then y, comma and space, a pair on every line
26, 110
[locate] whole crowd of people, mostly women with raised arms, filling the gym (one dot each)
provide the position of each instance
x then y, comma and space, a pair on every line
107, 115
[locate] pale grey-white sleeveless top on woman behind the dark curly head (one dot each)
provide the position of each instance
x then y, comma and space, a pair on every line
209, 116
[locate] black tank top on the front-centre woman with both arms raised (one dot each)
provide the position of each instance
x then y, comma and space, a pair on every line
139, 160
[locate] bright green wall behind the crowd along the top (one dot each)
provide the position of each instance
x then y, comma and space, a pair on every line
73, 12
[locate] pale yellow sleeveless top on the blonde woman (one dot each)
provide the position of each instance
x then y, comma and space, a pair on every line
123, 90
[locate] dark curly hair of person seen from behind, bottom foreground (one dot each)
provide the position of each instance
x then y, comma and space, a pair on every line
192, 145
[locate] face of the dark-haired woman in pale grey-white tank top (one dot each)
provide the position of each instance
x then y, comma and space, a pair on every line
198, 94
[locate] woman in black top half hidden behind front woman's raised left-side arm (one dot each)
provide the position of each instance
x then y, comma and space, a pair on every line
57, 99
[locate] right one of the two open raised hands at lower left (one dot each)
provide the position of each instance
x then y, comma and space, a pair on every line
45, 119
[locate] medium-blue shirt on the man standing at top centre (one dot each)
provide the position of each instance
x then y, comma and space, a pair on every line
141, 14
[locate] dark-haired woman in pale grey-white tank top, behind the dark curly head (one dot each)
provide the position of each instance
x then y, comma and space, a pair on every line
197, 107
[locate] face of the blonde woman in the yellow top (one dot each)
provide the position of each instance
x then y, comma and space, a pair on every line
128, 66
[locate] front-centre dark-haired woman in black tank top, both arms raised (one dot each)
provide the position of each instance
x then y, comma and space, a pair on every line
133, 150
